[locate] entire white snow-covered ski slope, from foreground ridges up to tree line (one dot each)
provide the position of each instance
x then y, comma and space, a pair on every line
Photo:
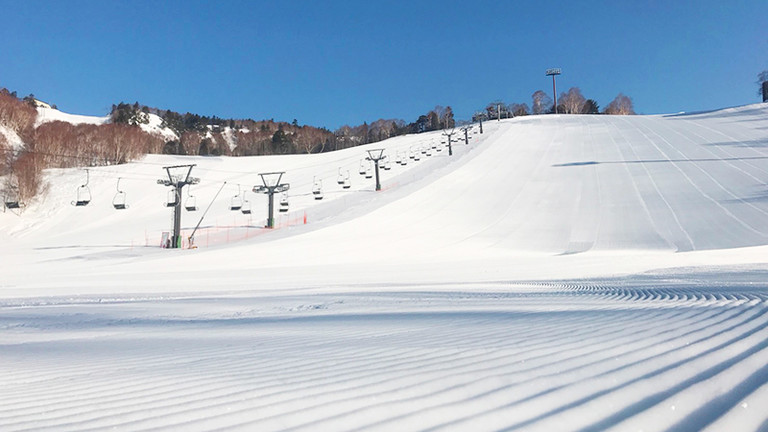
556, 273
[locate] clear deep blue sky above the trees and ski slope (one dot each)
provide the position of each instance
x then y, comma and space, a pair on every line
329, 63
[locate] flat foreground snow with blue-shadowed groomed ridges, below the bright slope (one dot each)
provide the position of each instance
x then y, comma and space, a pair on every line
650, 353
